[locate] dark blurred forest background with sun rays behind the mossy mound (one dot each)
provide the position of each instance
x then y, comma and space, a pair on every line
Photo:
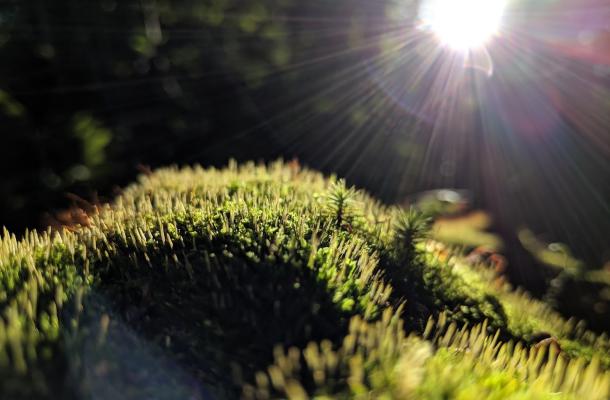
516, 135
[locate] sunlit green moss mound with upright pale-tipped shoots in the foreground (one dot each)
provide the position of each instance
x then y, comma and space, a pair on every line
272, 282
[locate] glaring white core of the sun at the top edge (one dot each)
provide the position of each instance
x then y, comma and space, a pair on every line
463, 24
